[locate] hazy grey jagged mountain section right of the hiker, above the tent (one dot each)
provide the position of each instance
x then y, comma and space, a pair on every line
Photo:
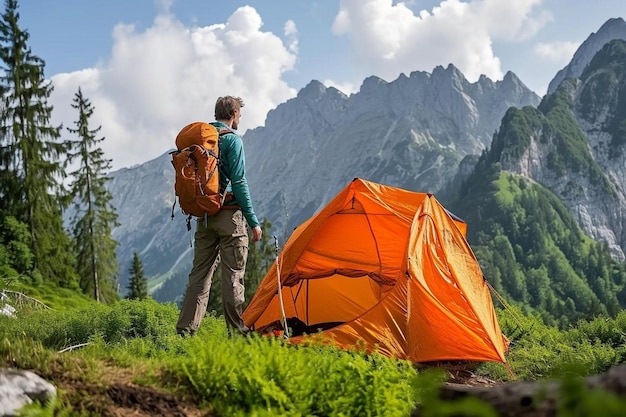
412, 132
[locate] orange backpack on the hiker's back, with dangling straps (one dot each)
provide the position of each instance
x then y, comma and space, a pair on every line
196, 162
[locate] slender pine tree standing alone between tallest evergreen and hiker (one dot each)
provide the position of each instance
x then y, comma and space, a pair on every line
94, 217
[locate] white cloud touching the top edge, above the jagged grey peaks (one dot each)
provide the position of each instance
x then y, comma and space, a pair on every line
388, 39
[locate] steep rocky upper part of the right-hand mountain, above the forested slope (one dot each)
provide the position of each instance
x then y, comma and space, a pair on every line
575, 146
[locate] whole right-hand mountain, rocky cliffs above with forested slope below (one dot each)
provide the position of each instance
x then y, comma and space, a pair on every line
546, 202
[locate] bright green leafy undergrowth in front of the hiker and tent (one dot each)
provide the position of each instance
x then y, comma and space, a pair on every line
260, 376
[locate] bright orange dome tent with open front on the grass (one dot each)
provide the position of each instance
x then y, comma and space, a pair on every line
385, 269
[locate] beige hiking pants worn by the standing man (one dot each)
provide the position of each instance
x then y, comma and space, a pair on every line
224, 234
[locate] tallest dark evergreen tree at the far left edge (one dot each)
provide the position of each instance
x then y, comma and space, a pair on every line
31, 171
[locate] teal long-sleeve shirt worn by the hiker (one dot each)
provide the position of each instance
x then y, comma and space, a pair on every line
234, 168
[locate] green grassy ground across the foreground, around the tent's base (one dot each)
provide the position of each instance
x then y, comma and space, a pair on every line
126, 359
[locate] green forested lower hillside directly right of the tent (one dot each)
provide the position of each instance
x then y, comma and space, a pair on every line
533, 252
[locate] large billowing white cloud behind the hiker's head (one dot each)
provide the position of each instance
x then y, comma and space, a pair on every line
158, 80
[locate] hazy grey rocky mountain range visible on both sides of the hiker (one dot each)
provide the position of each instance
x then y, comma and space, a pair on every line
412, 133
